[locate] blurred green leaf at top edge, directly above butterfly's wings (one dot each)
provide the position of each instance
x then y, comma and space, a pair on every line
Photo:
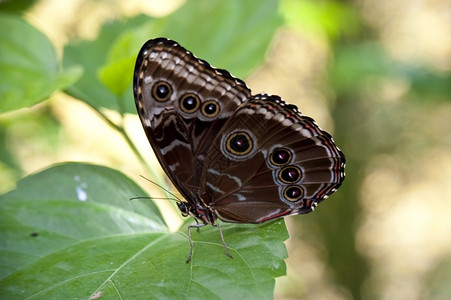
232, 35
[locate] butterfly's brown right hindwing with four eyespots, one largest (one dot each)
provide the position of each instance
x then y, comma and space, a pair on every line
269, 161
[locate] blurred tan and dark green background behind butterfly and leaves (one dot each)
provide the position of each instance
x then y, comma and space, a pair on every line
374, 73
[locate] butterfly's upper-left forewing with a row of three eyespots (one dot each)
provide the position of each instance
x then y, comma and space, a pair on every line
182, 102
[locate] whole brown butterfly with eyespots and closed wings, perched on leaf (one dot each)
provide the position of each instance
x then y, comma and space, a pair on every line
232, 155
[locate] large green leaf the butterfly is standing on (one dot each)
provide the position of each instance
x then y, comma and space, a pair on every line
71, 231
